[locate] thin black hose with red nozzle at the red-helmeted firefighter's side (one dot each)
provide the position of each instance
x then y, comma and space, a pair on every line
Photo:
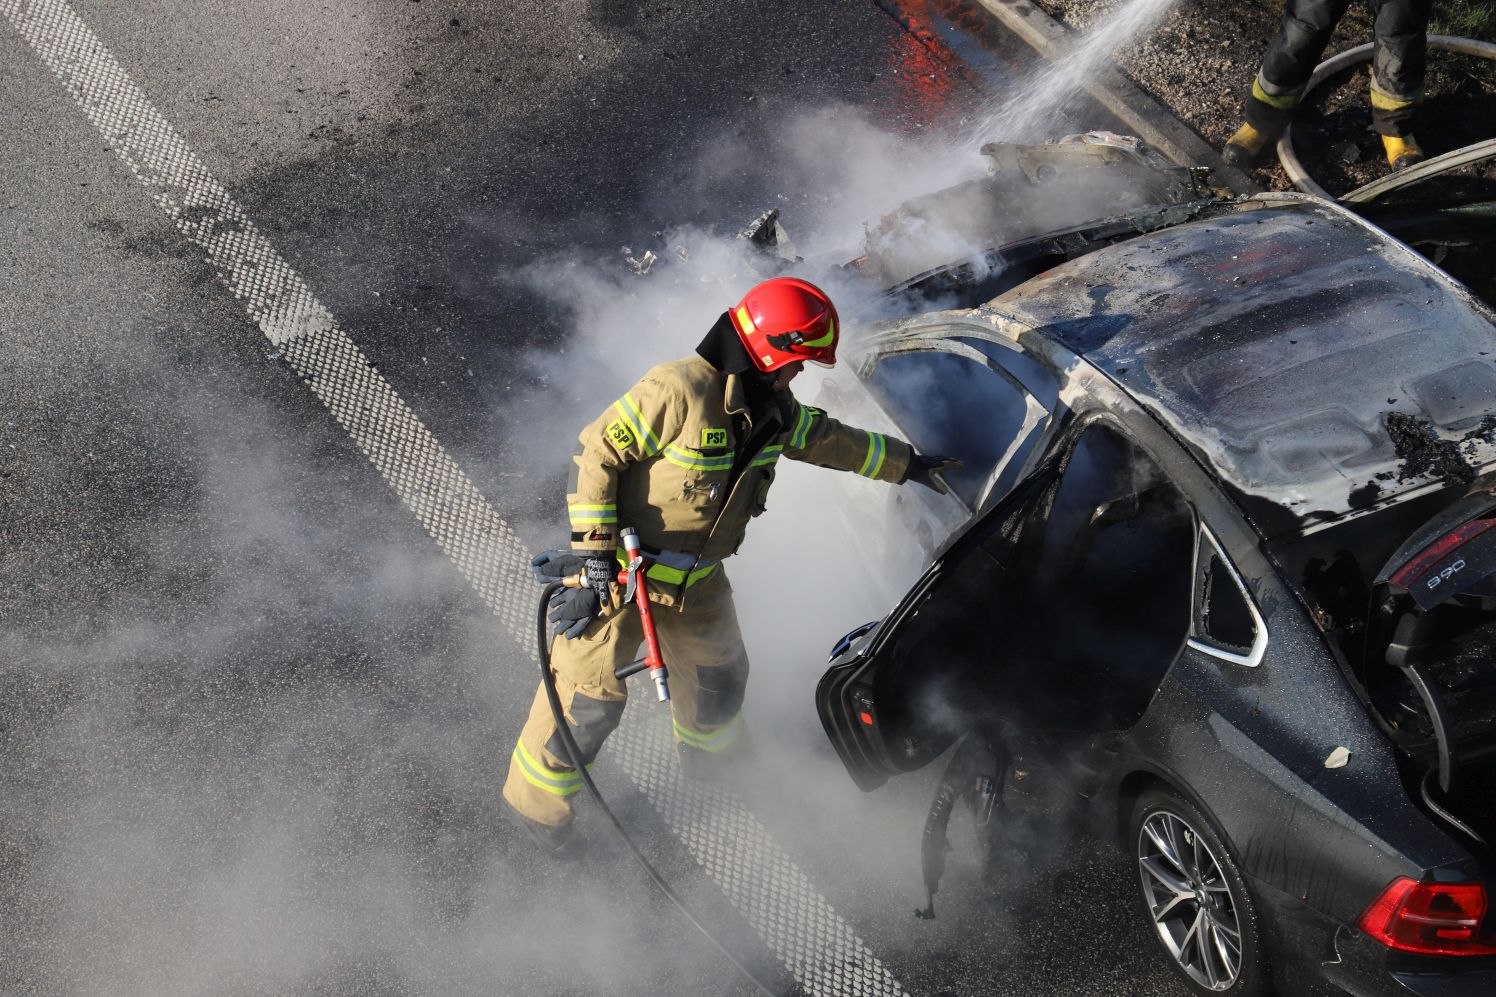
638, 592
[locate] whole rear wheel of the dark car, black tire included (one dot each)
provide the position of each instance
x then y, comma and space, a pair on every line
1196, 899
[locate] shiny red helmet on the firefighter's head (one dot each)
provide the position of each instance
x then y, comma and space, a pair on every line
785, 321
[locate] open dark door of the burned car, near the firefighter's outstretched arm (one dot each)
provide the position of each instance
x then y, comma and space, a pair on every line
1058, 612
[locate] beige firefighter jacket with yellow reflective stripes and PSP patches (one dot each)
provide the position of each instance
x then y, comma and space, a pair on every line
662, 460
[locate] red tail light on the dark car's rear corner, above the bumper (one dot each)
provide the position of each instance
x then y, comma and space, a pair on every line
1429, 918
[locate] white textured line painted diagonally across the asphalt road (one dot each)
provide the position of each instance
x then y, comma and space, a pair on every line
797, 921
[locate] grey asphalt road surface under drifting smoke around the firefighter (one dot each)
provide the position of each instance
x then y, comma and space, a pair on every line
263, 634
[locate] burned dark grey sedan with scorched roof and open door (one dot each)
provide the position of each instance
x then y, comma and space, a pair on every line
1224, 549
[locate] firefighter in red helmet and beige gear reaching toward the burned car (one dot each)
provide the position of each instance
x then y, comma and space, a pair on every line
686, 457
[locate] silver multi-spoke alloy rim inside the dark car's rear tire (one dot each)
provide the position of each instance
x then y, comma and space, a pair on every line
1190, 900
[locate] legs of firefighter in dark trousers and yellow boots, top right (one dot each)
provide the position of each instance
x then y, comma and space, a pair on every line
1398, 70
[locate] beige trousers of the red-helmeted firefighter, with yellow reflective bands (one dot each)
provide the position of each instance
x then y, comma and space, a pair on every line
704, 652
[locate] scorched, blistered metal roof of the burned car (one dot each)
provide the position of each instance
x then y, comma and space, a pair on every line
1275, 338
